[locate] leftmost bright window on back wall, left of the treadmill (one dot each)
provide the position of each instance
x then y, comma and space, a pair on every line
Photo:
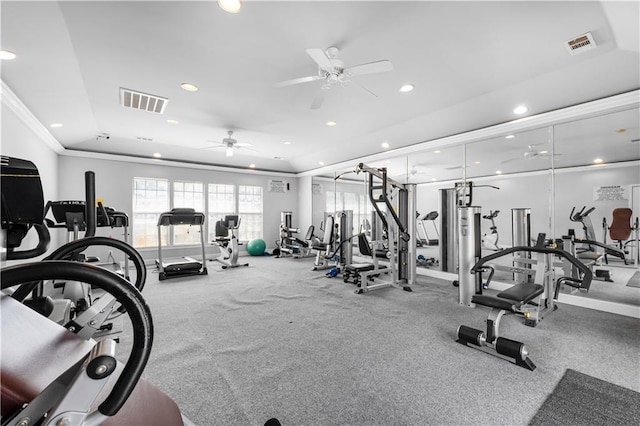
150, 198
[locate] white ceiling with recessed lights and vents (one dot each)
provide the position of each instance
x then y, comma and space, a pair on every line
471, 63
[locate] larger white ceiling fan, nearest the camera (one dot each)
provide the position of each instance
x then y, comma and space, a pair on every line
332, 71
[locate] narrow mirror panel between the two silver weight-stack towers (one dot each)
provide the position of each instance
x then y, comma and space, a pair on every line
436, 171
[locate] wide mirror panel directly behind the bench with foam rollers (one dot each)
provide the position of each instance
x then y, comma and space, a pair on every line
512, 186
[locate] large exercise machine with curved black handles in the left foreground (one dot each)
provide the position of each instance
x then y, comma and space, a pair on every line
52, 374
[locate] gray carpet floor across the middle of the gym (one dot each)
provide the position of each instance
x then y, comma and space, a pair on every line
276, 339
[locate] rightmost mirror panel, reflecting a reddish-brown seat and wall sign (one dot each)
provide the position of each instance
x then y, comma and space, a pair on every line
597, 181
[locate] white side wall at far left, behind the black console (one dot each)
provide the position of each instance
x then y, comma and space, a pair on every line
20, 141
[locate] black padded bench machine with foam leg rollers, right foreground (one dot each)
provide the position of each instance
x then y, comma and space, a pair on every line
532, 300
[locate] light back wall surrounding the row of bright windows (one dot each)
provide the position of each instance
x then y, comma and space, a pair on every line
114, 181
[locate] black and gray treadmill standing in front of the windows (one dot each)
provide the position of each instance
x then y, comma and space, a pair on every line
186, 265
